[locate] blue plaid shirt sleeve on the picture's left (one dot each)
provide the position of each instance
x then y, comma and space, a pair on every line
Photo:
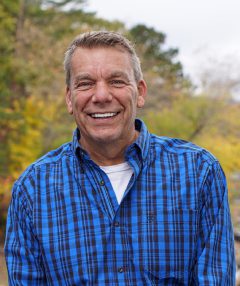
21, 246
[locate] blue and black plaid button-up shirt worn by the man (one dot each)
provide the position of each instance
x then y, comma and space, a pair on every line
173, 226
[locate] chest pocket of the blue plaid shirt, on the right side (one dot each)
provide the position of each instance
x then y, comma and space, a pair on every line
166, 240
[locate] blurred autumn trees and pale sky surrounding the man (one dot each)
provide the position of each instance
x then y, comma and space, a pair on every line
190, 54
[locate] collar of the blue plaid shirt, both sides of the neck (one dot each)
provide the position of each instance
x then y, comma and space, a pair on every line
142, 142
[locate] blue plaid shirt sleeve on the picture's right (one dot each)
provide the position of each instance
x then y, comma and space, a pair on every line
216, 260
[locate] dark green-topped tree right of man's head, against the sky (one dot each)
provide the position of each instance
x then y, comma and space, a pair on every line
162, 71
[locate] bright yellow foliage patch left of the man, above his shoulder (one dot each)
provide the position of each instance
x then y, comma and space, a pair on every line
25, 140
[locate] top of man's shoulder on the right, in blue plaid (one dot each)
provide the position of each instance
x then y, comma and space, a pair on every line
180, 147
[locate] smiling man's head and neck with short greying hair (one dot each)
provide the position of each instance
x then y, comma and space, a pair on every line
104, 90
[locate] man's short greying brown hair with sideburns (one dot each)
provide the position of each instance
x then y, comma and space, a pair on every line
106, 39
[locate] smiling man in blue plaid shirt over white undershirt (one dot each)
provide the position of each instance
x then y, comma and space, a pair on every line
118, 205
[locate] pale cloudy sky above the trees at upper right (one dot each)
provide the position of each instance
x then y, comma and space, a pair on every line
206, 32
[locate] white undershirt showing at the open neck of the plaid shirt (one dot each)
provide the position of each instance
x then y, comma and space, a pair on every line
119, 176
